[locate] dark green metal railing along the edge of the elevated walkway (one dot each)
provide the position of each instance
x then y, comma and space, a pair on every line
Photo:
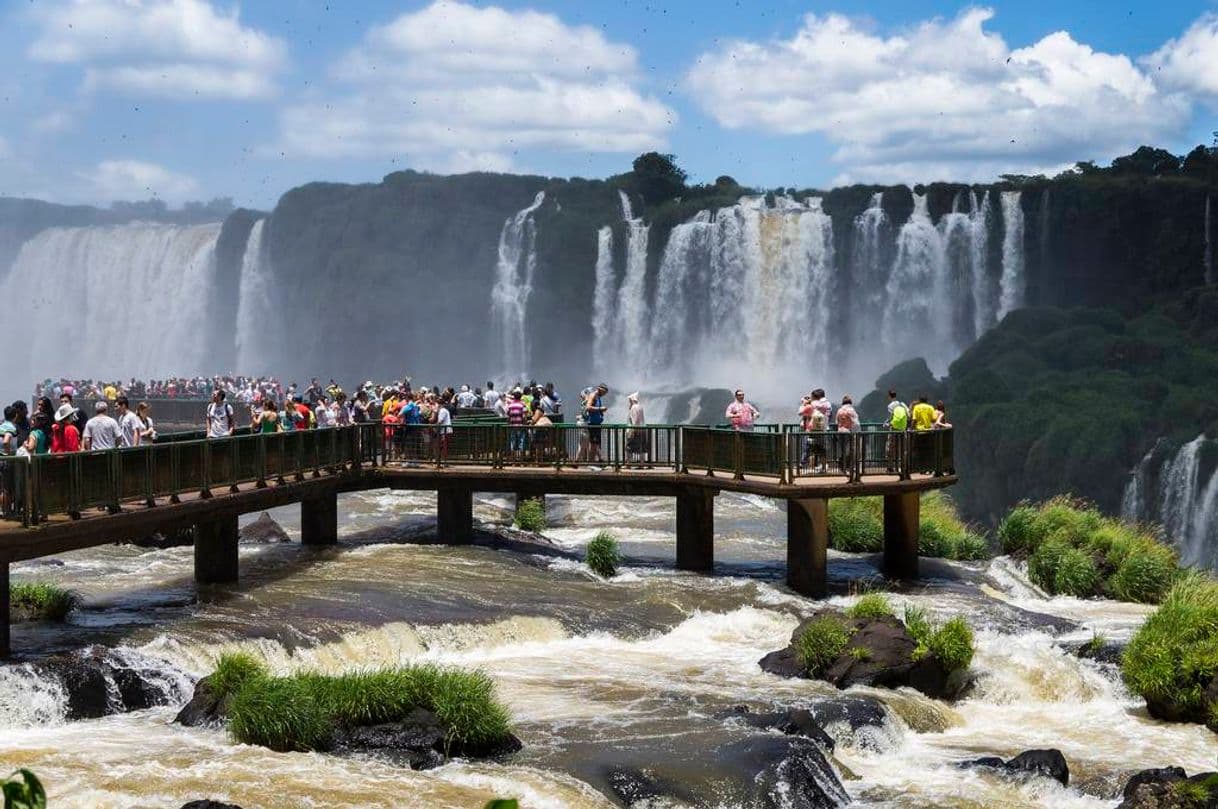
32, 489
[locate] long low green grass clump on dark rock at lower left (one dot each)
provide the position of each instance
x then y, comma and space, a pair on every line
301, 712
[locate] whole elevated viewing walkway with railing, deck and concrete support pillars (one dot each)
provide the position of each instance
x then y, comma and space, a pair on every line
64, 503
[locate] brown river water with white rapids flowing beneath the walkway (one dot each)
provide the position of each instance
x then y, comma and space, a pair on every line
634, 672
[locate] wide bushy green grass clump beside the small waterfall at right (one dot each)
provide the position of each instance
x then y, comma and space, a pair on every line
1074, 550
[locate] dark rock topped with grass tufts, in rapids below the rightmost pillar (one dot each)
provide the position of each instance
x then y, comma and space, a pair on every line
879, 654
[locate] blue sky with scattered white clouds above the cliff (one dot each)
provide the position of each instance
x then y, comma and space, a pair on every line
182, 101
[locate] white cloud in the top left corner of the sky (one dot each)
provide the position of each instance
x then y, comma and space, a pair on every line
176, 49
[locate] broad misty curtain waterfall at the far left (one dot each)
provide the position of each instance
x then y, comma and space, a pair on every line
108, 302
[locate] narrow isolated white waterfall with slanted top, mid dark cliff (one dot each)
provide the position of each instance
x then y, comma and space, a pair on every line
513, 286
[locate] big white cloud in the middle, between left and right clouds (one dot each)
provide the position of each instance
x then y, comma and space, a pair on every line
456, 86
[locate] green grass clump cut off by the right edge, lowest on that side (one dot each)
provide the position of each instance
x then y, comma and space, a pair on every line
1175, 656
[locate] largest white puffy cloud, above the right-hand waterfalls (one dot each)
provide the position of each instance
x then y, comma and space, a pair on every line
946, 99
